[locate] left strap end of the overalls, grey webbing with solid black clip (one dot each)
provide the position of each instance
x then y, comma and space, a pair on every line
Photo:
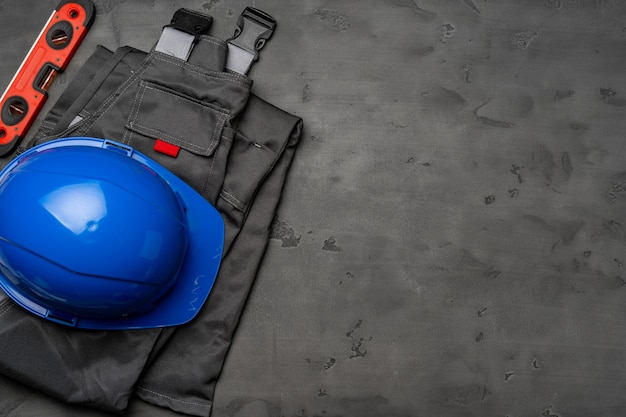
179, 37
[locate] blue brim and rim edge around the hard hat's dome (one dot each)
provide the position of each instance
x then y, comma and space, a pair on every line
199, 268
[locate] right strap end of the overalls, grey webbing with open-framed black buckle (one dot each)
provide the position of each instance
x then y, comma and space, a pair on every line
254, 27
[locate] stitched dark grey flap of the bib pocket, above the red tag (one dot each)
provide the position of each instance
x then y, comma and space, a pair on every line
162, 113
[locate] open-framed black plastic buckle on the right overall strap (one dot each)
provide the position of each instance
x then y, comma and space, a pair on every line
254, 27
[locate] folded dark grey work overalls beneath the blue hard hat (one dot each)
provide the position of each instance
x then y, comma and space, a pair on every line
235, 150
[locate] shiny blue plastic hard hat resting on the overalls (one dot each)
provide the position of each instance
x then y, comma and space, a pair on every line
95, 235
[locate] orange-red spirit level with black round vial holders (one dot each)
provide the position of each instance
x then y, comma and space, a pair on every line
26, 94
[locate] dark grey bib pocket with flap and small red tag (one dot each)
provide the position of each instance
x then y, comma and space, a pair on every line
188, 136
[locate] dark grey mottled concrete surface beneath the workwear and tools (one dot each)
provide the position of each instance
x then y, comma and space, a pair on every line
451, 239
